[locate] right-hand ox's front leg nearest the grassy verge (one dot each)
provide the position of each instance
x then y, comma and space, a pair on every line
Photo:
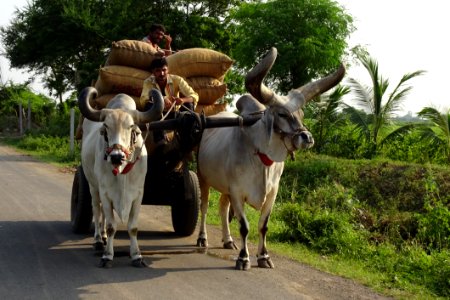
264, 260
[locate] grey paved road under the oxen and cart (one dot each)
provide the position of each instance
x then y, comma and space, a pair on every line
40, 258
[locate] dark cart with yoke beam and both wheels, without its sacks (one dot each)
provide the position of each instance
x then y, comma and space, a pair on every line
170, 179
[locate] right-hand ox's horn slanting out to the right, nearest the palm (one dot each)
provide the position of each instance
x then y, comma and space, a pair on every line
313, 89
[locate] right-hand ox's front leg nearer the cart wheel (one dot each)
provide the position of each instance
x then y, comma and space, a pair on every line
243, 261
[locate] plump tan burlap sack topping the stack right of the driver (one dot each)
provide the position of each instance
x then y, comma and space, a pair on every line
199, 62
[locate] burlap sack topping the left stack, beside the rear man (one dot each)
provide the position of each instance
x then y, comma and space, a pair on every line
131, 53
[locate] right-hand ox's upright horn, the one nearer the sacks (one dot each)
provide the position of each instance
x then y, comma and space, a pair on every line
253, 80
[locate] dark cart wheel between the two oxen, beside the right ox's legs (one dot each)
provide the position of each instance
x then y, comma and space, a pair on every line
185, 211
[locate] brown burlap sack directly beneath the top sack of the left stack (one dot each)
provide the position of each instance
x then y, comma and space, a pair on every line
121, 79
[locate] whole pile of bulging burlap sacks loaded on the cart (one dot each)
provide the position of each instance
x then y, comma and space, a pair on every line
127, 66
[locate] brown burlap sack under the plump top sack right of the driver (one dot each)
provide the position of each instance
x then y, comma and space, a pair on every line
209, 89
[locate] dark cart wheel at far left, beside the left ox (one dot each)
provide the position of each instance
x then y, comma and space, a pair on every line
81, 205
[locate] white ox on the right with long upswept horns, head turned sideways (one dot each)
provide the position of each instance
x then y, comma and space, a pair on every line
245, 163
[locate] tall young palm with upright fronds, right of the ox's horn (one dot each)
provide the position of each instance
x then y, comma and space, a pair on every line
381, 112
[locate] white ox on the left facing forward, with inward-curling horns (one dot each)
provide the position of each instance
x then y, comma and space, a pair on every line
114, 160
